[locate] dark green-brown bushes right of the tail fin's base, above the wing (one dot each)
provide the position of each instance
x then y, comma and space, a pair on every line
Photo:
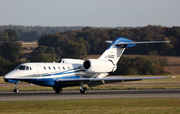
140, 66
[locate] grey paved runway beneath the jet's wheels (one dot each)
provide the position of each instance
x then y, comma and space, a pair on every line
92, 94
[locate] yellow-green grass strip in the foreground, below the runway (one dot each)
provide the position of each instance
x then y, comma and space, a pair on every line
87, 106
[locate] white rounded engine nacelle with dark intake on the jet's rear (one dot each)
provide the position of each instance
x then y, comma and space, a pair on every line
98, 66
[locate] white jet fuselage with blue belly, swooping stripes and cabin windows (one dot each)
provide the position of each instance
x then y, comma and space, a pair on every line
46, 74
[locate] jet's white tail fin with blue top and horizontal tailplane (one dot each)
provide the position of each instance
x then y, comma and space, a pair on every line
118, 46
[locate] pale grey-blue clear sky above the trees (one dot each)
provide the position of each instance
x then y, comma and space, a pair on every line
95, 13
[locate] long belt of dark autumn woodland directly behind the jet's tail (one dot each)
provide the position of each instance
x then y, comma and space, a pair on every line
93, 42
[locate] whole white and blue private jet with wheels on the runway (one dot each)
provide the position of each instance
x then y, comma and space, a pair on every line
75, 72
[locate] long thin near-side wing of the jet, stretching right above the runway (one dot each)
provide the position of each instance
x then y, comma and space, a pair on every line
99, 81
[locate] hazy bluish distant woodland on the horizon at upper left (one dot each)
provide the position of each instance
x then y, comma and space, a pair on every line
32, 33
